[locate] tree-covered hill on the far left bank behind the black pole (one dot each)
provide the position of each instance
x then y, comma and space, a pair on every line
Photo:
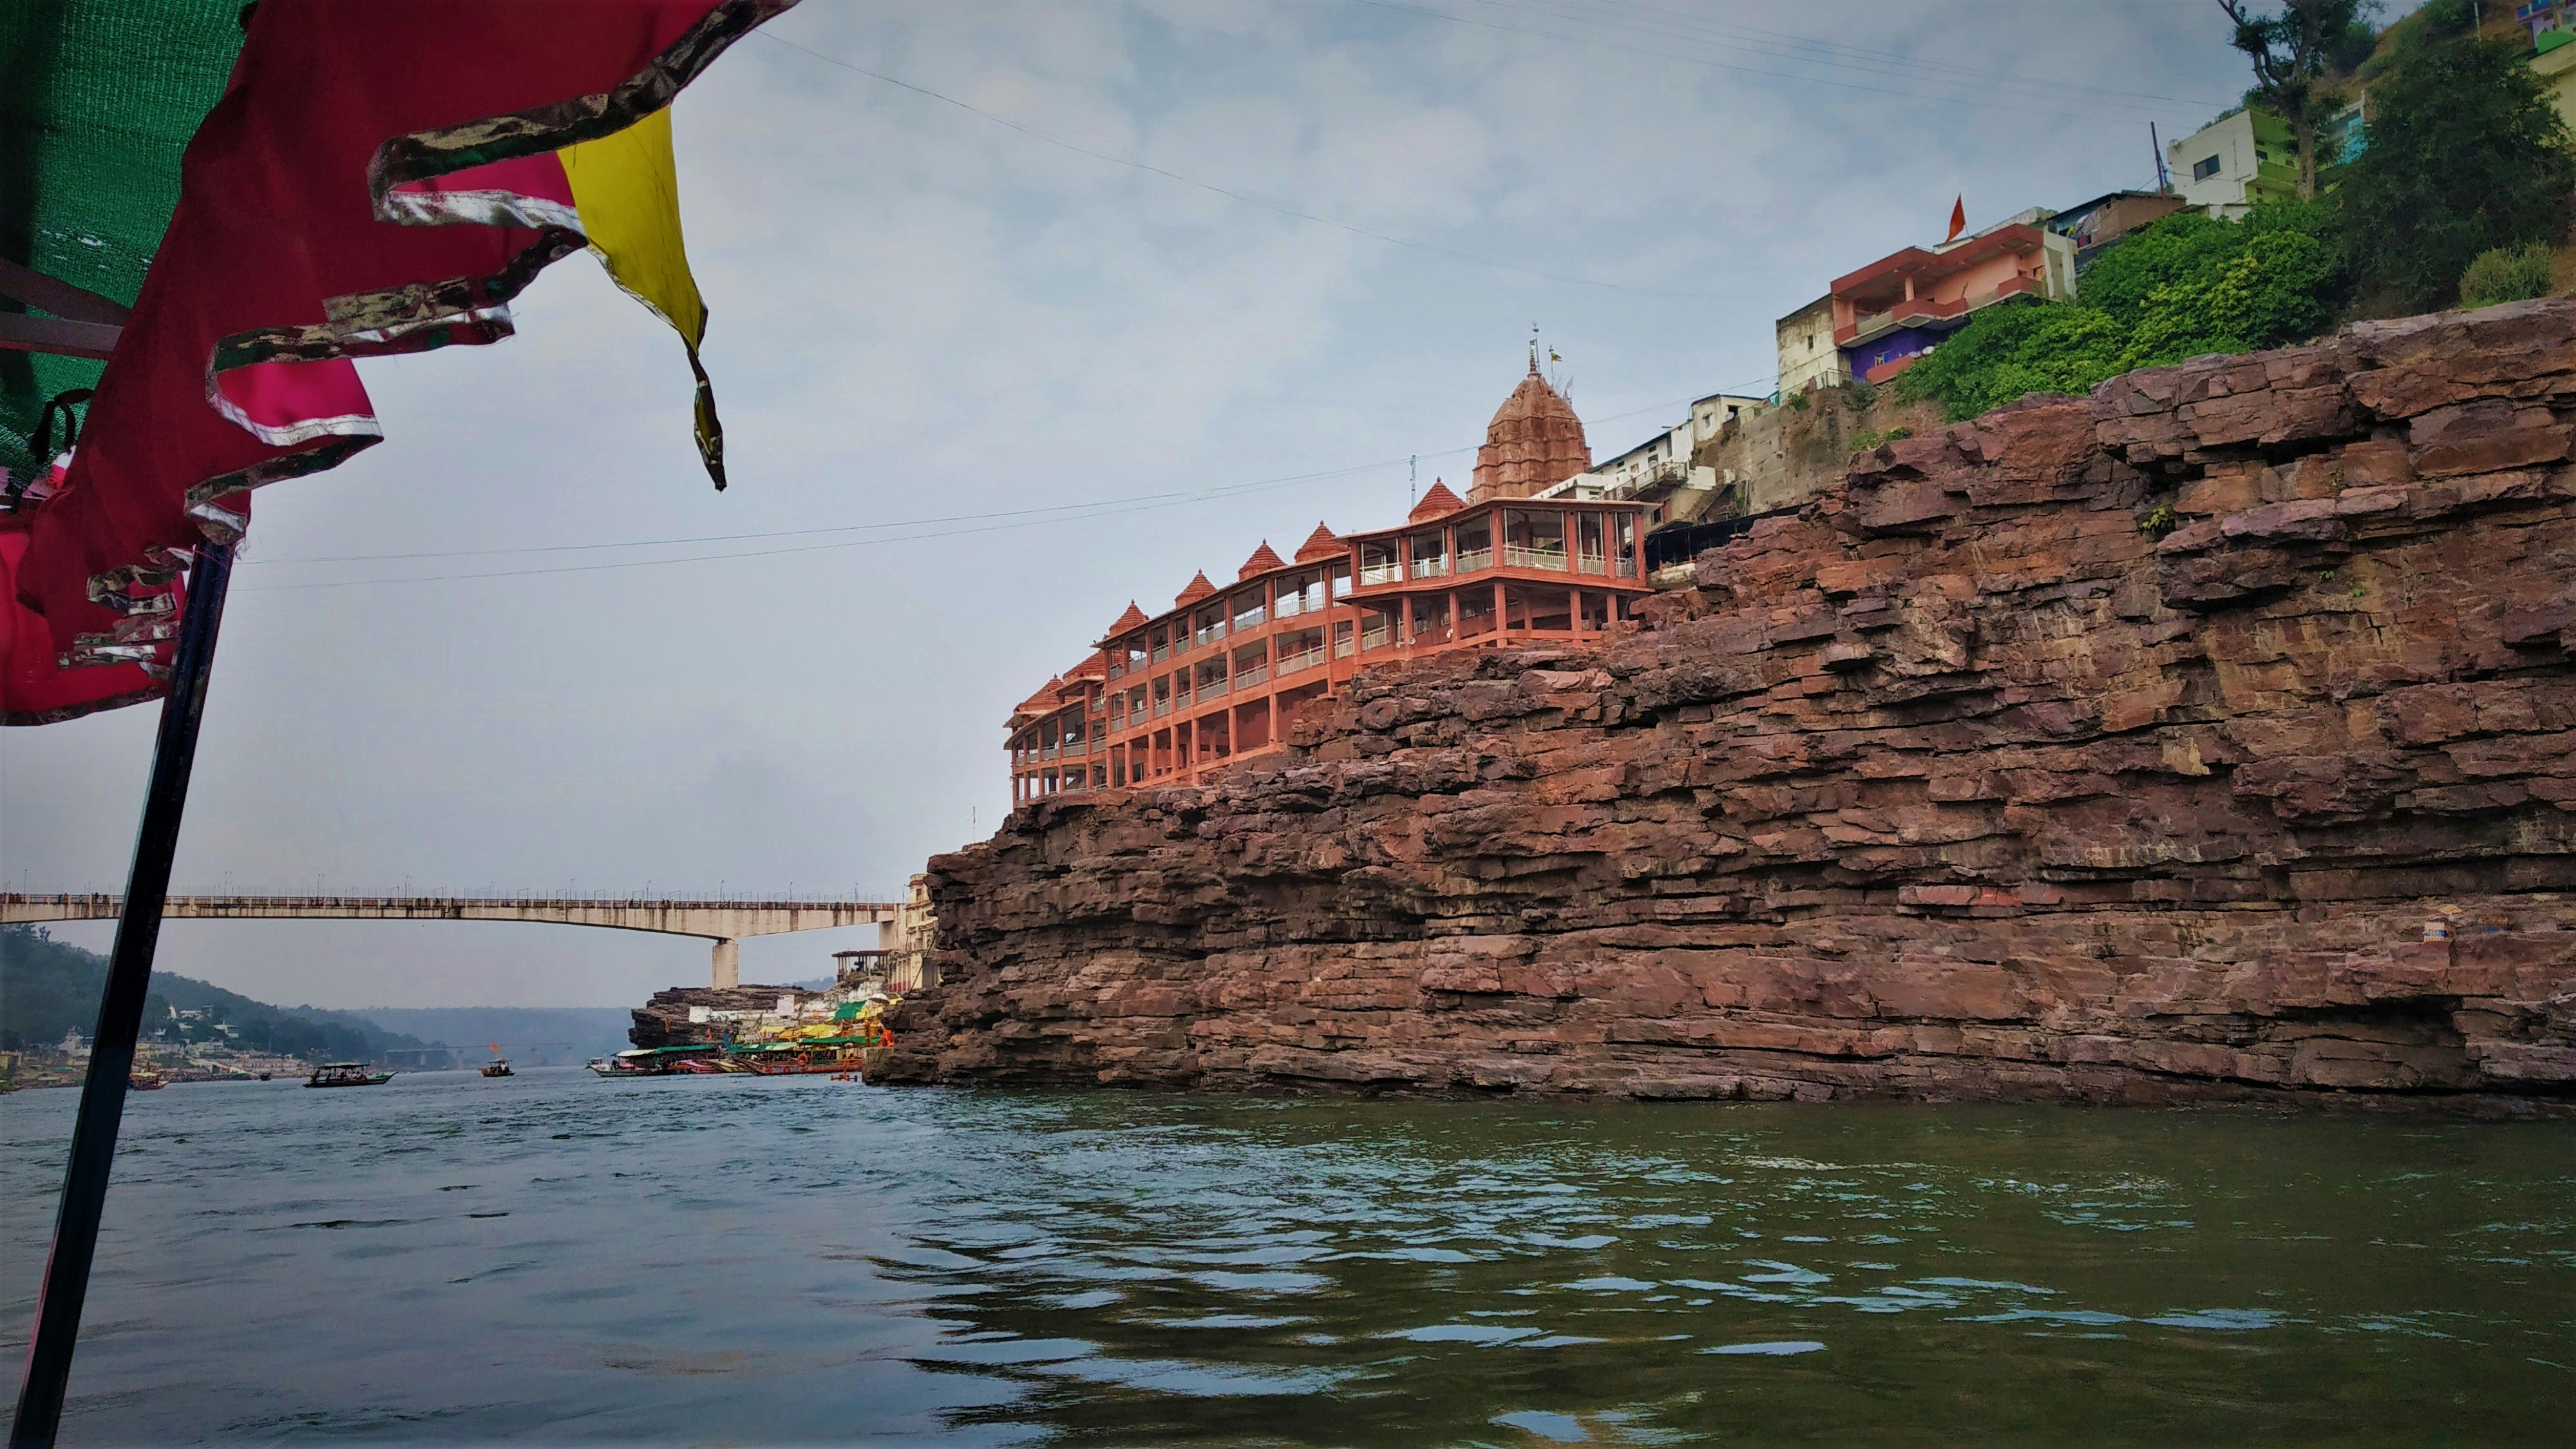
50, 989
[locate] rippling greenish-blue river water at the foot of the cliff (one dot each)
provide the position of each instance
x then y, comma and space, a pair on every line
748, 1262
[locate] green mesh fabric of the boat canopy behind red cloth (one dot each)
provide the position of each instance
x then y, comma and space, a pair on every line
97, 107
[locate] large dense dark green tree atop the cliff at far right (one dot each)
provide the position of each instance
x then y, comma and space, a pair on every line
2467, 156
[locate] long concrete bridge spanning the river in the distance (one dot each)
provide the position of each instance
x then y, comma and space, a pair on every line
720, 922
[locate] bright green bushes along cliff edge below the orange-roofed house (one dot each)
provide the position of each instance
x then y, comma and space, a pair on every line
2170, 293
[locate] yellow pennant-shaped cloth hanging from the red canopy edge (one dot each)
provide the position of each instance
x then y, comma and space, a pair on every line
627, 195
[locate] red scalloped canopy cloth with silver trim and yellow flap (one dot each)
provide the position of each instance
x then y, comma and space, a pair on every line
377, 179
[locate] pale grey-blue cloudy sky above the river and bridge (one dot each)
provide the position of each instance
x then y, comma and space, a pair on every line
1019, 313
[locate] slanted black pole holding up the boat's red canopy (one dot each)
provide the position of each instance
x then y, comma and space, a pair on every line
122, 1012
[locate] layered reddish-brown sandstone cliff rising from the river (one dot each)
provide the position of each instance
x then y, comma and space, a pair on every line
2206, 739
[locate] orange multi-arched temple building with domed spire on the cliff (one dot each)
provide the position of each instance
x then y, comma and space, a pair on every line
1215, 679
